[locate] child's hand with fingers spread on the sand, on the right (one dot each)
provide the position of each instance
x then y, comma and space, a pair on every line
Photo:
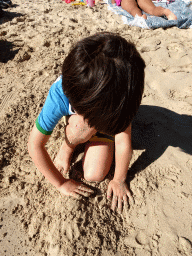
120, 194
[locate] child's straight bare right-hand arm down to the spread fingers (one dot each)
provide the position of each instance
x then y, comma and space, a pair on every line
123, 154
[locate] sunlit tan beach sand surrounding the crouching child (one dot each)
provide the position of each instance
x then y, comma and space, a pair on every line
35, 218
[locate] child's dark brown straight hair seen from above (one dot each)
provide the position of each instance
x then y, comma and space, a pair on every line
103, 78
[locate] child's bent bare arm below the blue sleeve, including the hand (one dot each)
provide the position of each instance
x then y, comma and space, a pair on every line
44, 164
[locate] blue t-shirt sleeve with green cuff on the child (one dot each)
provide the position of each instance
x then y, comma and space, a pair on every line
55, 107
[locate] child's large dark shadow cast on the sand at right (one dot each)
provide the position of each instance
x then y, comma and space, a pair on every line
155, 129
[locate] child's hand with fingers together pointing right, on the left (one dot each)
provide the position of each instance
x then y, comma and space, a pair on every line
75, 189
